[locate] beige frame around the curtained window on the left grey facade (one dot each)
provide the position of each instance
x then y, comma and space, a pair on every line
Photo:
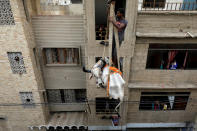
58, 64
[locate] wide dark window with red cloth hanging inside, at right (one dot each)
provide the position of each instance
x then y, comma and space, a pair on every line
172, 56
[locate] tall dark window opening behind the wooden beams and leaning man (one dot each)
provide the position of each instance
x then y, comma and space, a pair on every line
101, 16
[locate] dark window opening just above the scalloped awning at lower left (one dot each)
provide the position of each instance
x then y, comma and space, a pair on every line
66, 95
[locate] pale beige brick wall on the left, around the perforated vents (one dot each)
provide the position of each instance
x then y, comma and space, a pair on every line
18, 38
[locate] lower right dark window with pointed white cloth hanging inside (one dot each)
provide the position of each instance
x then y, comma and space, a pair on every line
163, 100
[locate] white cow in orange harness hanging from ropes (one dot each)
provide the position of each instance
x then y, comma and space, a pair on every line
113, 81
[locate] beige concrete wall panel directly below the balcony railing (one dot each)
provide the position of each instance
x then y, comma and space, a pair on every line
162, 24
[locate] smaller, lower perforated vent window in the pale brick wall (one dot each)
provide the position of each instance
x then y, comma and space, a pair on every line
27, 99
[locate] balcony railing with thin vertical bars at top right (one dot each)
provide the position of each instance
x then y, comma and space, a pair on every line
167, 6
